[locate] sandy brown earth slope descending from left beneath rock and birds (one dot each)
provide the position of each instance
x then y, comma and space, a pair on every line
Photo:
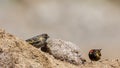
16, 53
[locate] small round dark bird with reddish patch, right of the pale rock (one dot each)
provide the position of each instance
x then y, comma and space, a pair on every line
95, 54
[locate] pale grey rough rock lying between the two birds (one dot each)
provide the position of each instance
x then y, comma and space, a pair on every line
64, 50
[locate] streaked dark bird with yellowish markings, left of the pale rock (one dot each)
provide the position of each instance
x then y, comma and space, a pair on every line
38, 41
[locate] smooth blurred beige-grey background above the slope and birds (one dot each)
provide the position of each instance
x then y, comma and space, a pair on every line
87, 23
